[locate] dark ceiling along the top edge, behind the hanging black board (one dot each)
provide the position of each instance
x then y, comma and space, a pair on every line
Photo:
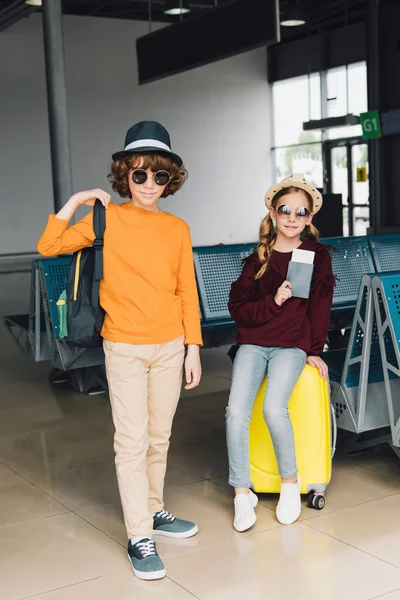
320, 14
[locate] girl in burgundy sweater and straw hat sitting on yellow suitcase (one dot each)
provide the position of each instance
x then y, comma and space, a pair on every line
279, 334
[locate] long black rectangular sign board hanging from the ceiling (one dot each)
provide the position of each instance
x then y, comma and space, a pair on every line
226, 30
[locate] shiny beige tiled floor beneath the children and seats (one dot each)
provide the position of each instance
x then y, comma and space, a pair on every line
61, 529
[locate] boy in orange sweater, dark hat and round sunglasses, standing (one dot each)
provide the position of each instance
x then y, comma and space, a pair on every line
150, 299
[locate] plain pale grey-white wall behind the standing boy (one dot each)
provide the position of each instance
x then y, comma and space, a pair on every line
218, 117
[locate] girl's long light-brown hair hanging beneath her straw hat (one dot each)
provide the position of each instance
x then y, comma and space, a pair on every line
268, 233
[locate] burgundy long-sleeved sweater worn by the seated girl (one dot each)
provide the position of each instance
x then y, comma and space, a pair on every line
298, 323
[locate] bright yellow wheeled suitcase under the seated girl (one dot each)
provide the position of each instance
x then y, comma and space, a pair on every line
310, 413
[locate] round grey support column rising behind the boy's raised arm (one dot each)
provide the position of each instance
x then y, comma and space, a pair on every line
57, 102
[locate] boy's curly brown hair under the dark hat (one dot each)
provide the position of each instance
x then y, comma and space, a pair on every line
156, 161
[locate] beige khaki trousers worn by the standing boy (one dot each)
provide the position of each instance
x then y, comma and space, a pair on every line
145, 383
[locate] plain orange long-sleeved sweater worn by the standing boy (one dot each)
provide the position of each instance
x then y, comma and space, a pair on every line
149, 290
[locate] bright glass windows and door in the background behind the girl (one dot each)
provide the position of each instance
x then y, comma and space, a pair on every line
333, 93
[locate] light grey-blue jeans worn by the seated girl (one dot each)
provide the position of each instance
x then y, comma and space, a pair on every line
284, 367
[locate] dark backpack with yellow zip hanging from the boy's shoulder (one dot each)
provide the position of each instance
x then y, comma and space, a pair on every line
85, 316
